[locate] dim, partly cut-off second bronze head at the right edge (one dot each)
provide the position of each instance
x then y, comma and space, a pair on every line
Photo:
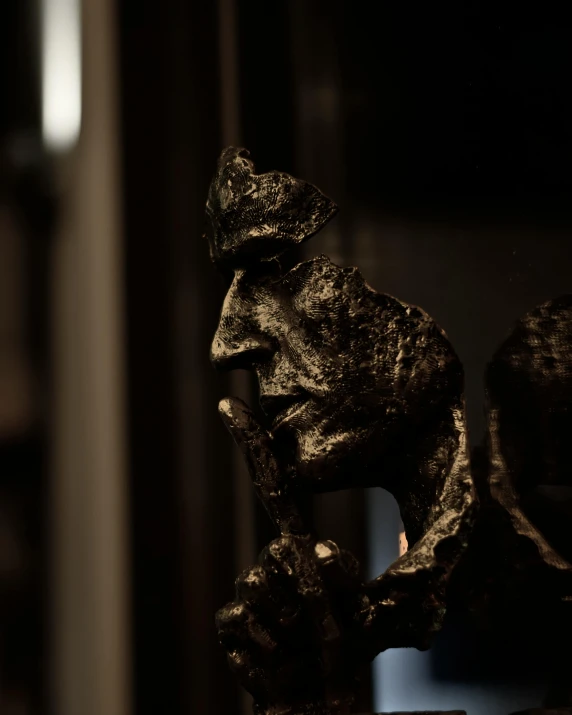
529, 386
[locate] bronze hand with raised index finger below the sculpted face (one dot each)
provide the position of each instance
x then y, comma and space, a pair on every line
292, 634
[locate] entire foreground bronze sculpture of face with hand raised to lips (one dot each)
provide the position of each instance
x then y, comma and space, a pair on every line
358, 389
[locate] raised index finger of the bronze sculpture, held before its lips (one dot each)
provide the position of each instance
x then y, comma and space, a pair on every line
255, 443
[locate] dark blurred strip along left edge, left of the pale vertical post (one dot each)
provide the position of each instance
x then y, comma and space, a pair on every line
25, 221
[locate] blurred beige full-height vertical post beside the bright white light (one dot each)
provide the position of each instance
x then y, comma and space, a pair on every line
90, 641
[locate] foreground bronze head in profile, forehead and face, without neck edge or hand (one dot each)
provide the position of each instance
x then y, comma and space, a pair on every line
354, 383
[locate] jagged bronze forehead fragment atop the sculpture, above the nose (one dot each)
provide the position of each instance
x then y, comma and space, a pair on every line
260, 216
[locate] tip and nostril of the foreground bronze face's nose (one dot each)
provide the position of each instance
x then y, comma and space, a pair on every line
239, 348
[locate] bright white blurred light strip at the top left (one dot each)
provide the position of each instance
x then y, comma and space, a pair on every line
61, 73
